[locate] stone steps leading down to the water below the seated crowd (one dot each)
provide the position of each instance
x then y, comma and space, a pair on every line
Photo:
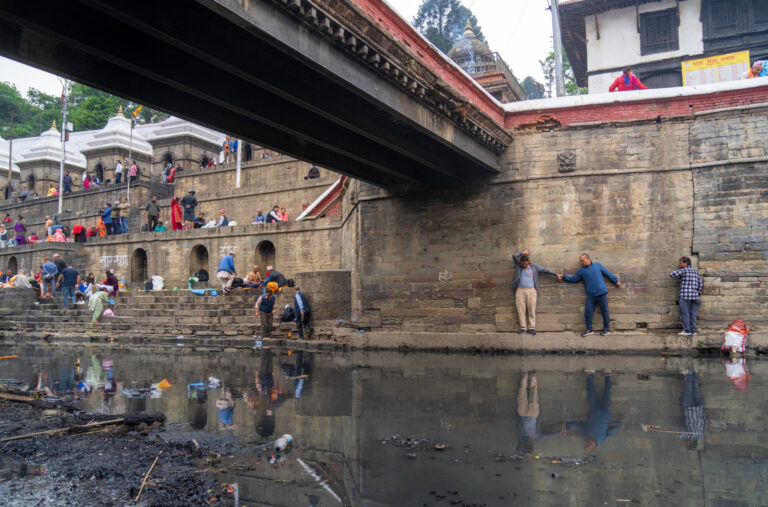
148, 315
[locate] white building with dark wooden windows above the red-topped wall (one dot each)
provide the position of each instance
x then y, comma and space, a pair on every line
601, 37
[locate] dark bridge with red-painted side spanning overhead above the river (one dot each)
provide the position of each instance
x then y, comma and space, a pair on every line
349, 86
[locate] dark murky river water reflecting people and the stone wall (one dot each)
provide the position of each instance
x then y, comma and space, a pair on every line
397, 429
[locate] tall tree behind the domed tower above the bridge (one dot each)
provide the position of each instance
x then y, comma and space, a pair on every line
442, 22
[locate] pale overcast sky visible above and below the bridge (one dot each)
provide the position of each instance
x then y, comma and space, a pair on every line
519, 30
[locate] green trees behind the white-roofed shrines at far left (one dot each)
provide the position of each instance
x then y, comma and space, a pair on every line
89, 109
